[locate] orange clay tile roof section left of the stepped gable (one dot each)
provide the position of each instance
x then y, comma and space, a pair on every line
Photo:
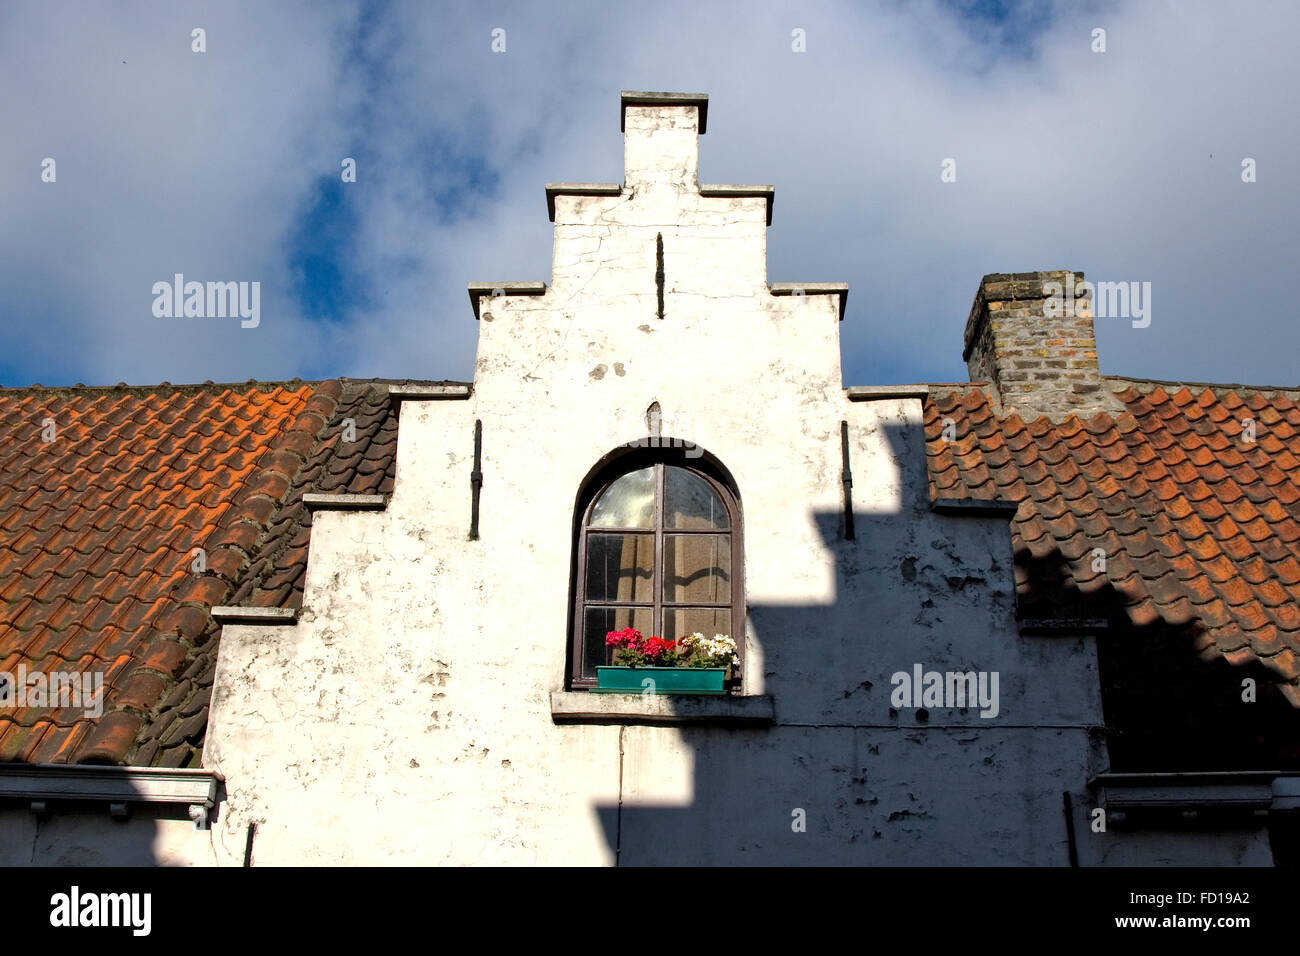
106, 495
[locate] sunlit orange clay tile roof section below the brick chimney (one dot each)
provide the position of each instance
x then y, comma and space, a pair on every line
1199, 525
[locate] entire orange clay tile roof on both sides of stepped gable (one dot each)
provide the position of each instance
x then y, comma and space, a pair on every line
102, 526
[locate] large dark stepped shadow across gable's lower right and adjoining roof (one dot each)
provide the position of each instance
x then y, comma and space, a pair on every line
890, 788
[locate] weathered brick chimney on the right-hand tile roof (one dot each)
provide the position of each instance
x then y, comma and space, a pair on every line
1039, 354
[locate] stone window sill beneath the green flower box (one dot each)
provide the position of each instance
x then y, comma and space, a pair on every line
579, 707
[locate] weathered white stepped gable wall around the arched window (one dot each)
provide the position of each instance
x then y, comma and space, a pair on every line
406, 717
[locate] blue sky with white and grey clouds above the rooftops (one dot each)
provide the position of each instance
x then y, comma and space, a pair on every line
227, 166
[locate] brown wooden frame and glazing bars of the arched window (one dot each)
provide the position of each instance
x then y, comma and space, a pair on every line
596, 488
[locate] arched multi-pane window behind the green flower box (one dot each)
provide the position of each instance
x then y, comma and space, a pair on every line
658, 550
